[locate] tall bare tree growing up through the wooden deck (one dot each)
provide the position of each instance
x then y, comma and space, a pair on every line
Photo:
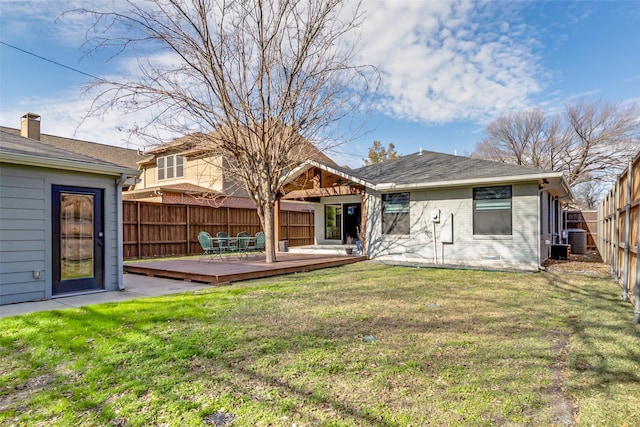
256, 82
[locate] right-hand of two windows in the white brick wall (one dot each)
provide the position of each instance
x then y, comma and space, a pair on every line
492, 210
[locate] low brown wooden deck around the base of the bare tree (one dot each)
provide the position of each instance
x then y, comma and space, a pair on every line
217, 271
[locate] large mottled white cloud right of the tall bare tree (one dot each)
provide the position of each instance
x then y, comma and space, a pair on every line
448, 60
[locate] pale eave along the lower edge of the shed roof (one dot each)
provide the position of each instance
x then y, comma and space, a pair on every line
65, 164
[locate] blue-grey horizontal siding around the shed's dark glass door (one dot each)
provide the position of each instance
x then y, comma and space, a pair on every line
26, 229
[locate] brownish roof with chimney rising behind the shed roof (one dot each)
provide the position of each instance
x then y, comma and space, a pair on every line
124, 157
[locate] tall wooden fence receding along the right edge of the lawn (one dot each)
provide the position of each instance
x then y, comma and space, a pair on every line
619, 233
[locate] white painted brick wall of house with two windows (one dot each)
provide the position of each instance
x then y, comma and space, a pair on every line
518, 251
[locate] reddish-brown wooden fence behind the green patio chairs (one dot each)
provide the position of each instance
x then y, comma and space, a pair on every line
152, 230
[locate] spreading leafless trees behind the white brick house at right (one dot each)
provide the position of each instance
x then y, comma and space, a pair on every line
590, 141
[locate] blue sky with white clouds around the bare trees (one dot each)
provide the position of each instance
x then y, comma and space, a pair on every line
448, 68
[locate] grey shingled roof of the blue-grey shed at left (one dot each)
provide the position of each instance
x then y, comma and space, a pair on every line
25, 151
